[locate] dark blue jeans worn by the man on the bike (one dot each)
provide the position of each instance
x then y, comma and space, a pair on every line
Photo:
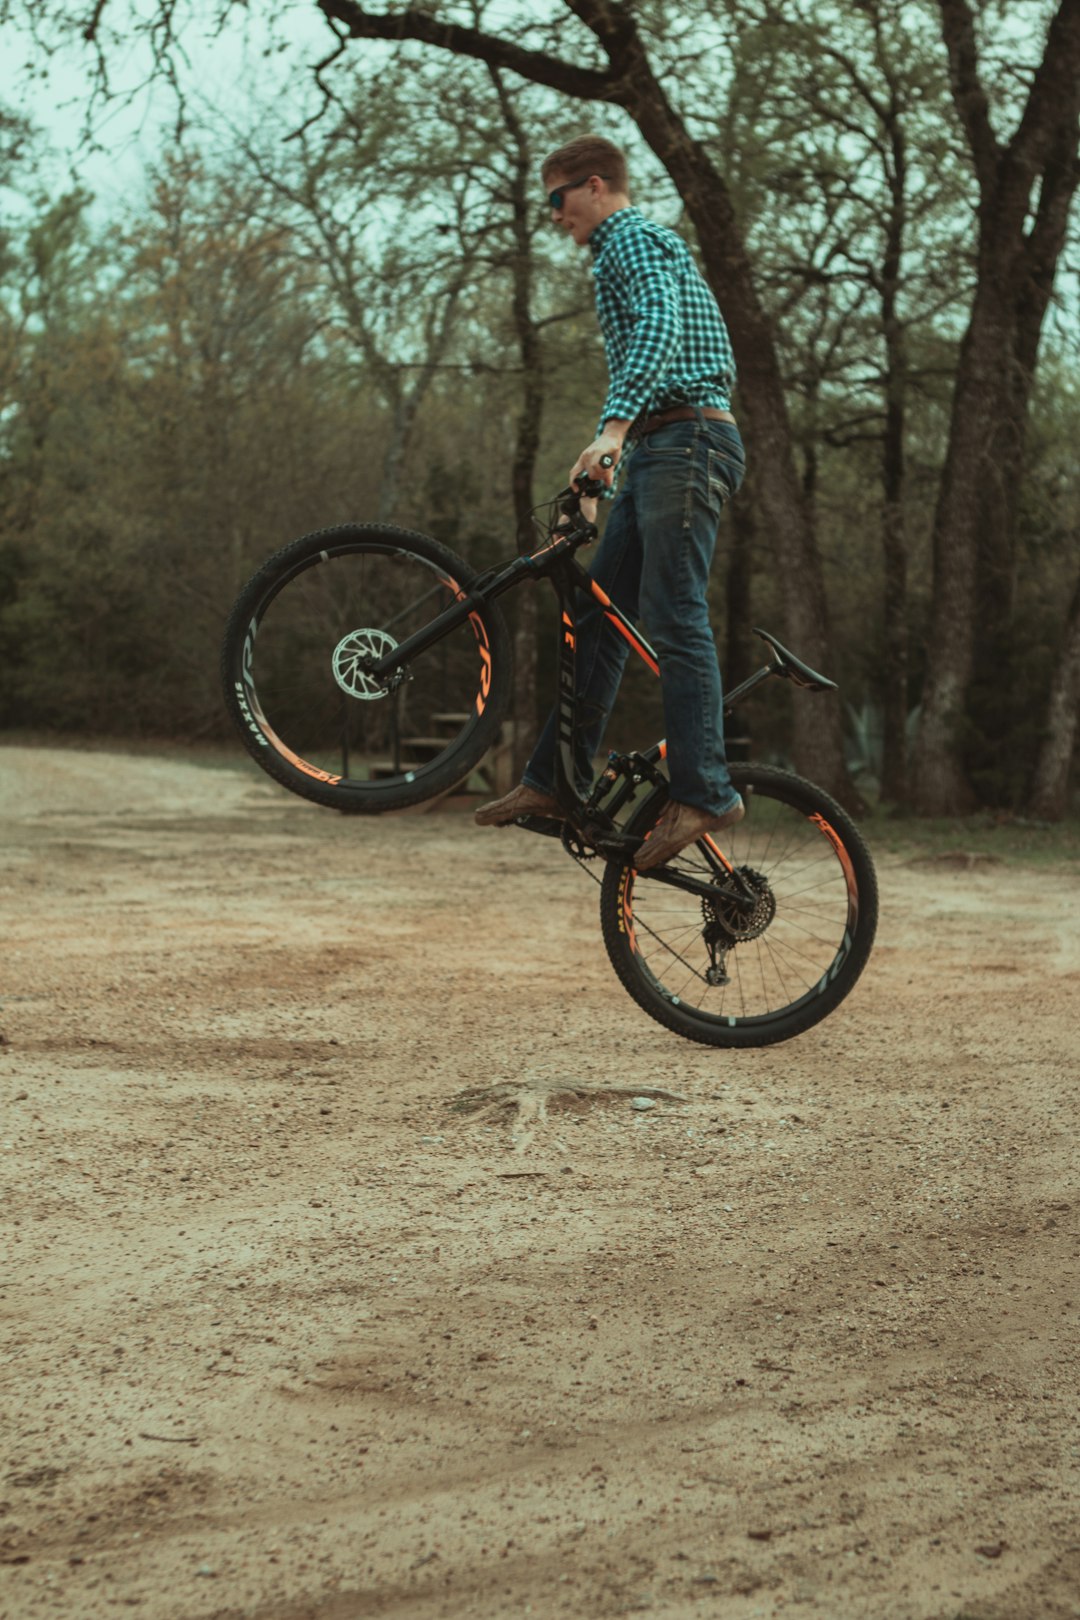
655, 565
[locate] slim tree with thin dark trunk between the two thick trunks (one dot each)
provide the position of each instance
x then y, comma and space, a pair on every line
851, 198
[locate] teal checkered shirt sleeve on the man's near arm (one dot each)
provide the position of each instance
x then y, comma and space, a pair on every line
650, 286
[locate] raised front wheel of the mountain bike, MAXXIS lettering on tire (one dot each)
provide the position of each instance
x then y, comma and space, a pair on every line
296, 683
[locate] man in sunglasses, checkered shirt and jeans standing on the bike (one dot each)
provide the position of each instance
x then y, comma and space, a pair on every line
668, 416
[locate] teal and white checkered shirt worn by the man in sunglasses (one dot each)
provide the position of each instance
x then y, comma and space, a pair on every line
665, 336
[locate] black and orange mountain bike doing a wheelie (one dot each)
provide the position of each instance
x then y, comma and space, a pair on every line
368, 670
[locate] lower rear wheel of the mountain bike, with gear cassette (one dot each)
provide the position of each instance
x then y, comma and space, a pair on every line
780, 939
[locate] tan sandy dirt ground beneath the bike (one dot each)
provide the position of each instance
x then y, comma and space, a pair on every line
287, 1334
